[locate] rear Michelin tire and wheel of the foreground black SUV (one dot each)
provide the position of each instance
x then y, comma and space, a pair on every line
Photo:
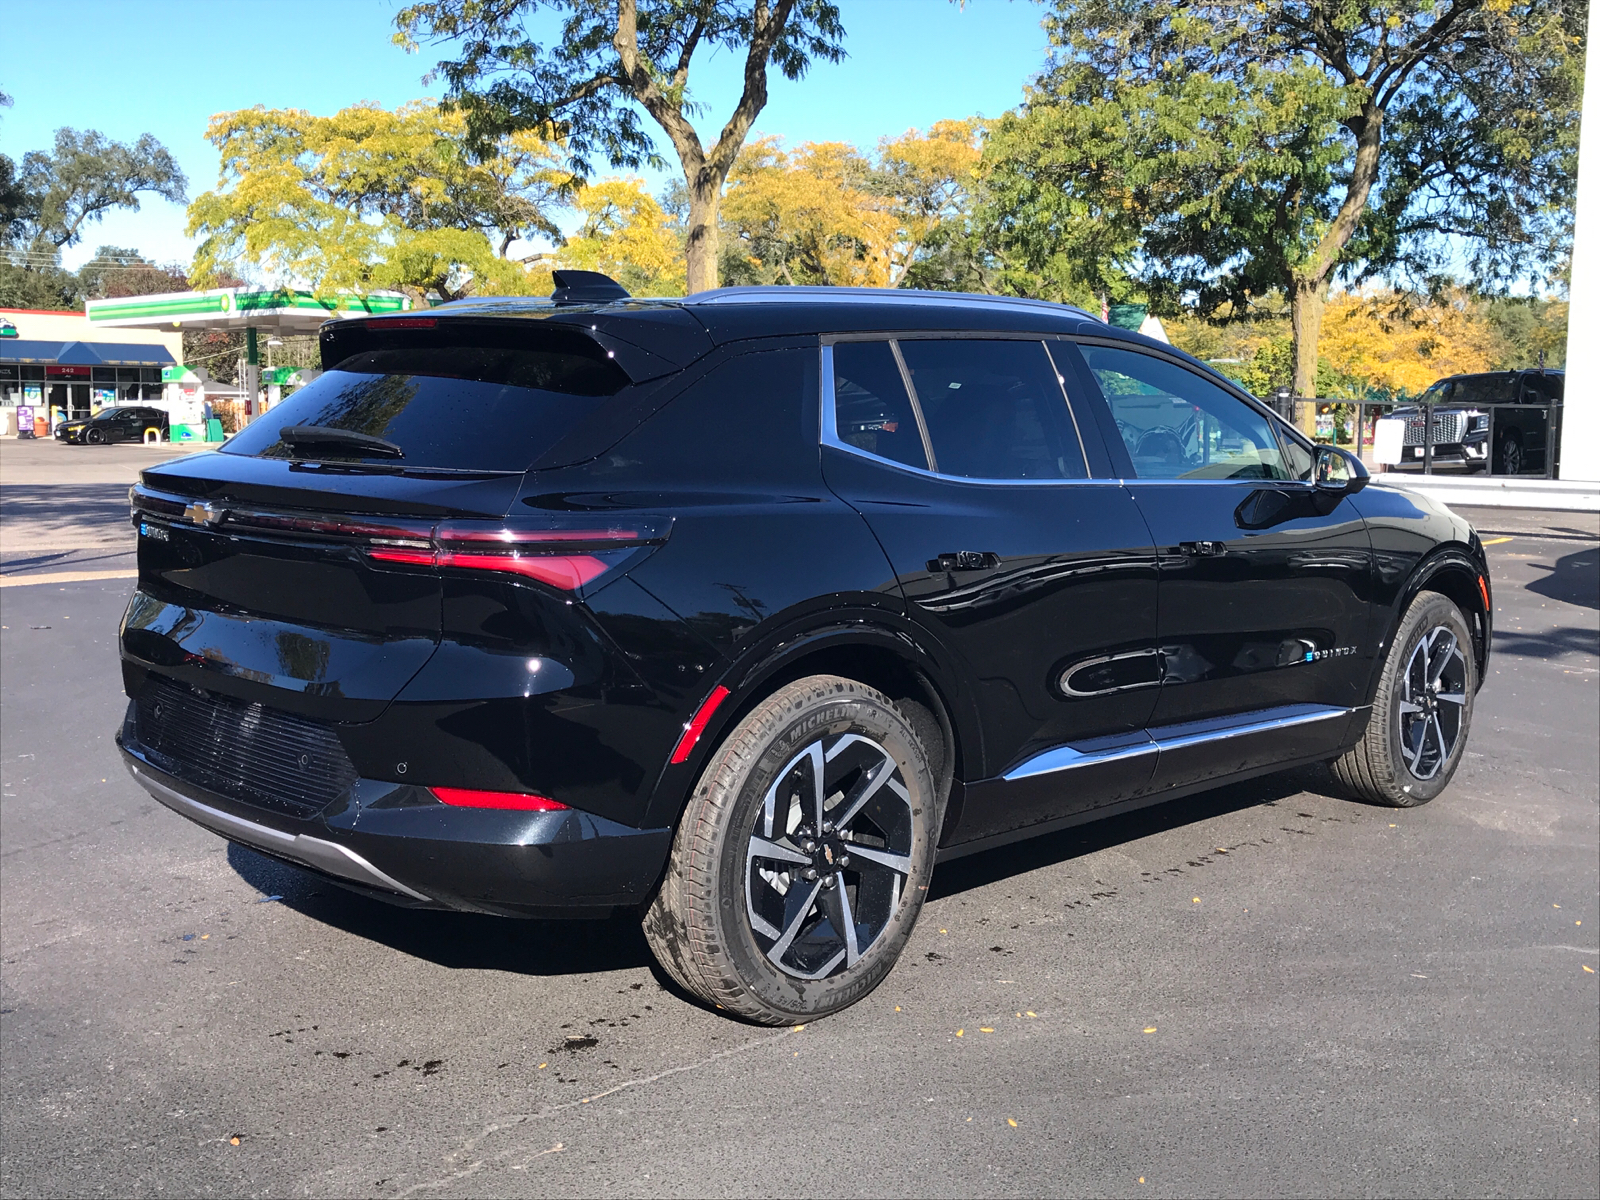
724, 922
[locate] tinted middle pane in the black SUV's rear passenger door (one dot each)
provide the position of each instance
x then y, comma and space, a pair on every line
994, 410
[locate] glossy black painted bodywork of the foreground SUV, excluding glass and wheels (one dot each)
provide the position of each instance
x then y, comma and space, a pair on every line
1026, 617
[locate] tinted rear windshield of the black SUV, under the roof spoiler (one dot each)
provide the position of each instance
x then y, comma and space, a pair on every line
486, 406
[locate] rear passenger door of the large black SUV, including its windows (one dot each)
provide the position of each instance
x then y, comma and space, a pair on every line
966, 460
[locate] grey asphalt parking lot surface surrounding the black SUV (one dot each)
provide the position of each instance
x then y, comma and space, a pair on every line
1260, 991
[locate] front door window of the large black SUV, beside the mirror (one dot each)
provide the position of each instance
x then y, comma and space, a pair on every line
1178, 425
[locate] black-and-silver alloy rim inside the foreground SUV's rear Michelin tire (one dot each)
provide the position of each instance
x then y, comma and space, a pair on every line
830, 855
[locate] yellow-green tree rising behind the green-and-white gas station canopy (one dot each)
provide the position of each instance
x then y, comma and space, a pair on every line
375, 199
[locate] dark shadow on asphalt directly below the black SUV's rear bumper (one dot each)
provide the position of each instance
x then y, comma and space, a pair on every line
457, 940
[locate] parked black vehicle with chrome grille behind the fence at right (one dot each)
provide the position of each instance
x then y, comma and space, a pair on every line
1463, 423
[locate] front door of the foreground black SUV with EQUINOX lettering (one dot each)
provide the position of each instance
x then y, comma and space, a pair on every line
1265, 585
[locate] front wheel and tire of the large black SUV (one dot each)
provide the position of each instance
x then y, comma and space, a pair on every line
1417, 732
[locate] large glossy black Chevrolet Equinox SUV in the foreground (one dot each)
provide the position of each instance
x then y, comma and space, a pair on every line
746, 610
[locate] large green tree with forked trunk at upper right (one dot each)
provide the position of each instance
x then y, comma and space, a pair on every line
1225, 151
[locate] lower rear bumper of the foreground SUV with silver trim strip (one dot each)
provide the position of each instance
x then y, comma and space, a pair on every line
399, 844
